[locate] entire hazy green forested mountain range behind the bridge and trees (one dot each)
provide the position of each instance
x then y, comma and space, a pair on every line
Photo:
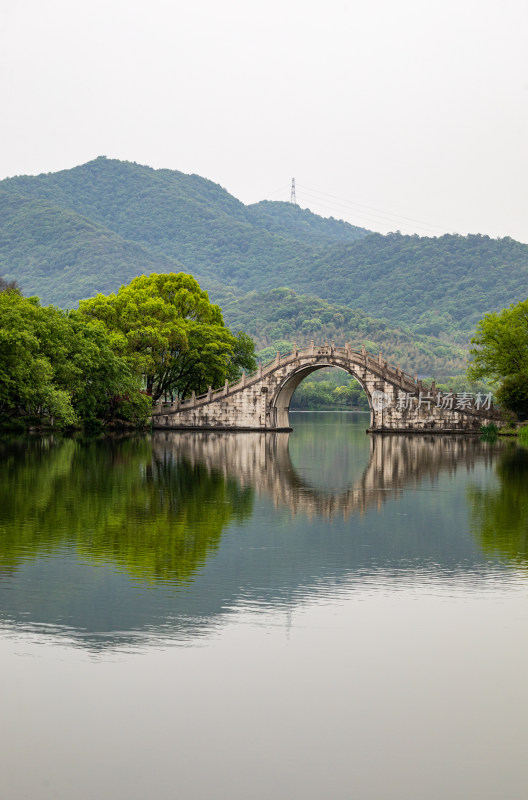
67, 235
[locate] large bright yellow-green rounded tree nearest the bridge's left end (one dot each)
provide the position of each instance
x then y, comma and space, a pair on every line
168, 331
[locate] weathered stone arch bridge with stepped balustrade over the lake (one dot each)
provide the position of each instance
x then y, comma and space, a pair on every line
398, 402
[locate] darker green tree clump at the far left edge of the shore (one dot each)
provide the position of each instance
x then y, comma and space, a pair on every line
61, 366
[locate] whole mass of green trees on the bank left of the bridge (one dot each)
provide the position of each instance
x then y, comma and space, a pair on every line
110, 359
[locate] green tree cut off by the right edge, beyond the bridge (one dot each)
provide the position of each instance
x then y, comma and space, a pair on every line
501, 354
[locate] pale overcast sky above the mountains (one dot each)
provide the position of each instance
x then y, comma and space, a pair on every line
409, 115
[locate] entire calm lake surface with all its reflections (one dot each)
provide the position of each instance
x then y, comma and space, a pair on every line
321, 614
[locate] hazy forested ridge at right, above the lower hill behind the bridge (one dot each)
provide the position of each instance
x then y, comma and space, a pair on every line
437, 285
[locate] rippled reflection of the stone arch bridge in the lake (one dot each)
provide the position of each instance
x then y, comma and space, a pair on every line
262, 461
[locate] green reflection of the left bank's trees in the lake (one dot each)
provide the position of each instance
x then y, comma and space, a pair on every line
152, 513
